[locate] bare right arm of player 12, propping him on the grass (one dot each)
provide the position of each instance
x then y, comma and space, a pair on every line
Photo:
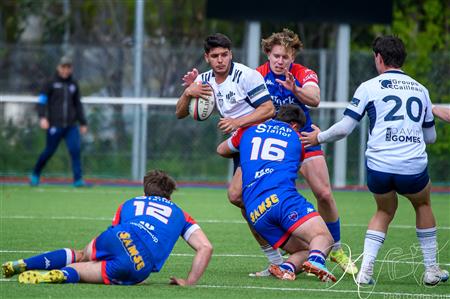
200, 243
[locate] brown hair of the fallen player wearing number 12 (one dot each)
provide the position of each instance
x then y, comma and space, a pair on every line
159, 183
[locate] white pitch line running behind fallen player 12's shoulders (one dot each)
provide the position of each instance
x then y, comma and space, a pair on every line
212, 221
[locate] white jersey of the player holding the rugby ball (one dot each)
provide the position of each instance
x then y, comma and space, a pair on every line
241, 92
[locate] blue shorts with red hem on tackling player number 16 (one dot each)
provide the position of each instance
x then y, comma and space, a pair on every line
276, 214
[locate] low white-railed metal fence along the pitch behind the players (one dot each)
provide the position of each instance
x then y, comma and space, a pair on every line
185, 148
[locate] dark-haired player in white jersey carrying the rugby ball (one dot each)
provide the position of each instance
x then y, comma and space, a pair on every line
242, 99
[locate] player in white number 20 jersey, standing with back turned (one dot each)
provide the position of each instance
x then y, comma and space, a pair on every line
401, 124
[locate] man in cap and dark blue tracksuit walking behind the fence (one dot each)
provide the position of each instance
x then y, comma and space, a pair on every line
60, 110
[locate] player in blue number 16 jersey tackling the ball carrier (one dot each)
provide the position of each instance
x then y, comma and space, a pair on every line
270, 156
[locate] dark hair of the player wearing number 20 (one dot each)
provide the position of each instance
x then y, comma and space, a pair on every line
391, 49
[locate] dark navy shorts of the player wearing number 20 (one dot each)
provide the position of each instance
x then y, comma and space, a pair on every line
383, 182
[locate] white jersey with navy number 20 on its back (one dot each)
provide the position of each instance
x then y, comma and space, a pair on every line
398, 108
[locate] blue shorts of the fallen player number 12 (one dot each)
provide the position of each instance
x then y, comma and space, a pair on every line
125, 260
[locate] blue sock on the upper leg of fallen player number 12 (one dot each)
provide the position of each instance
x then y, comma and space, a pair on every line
51, 260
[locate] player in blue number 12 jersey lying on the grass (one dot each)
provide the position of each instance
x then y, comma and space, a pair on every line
143, 233
